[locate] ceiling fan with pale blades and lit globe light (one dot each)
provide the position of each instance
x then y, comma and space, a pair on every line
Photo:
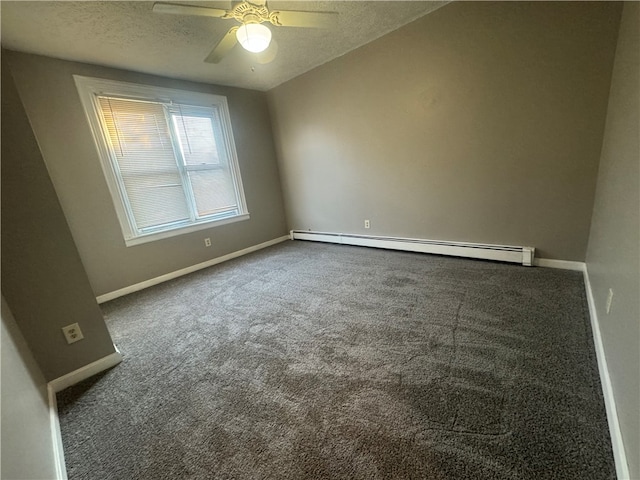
251, 33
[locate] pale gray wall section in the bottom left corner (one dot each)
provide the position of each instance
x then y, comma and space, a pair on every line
27, 446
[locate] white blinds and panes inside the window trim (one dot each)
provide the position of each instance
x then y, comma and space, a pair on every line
171, 162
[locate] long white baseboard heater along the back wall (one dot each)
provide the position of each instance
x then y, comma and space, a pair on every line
503, 253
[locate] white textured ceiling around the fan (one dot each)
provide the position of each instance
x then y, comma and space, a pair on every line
129, 35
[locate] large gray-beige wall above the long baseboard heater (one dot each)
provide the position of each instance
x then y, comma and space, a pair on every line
479, 122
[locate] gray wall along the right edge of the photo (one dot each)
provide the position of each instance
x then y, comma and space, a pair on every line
613, 256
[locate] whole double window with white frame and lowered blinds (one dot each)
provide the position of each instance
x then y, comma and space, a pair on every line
168, 157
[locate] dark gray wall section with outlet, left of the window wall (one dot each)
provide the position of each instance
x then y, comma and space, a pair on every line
43, 279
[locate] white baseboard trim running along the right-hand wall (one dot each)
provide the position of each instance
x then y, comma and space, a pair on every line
617, 444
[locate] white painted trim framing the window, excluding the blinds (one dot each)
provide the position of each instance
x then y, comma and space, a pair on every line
89, 88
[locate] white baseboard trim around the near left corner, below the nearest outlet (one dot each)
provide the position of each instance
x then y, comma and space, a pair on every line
60, 383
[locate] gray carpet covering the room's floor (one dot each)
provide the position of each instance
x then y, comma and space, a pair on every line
317, 361
